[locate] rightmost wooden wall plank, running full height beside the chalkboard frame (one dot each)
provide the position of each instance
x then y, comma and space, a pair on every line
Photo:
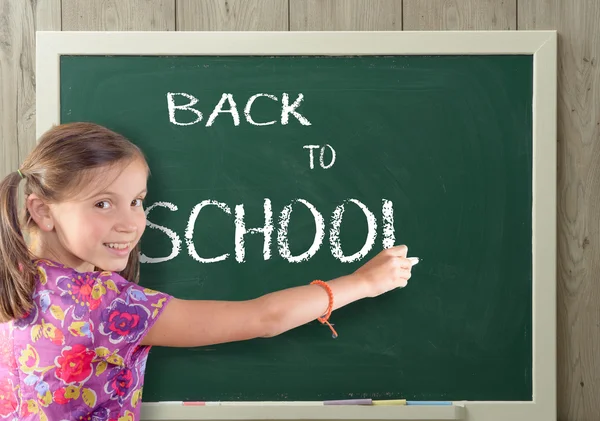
578, 213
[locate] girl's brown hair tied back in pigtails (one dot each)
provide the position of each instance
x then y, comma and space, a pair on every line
66, 157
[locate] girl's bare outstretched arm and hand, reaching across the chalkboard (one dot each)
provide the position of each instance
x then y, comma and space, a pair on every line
189, 323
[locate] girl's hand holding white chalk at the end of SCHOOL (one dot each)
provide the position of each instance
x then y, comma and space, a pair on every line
388, 270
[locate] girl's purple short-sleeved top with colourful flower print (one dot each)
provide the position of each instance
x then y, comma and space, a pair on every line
77, 354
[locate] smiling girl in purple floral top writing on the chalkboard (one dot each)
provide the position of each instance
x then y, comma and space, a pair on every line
75, 328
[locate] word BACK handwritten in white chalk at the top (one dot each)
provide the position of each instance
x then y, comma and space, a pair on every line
287, 109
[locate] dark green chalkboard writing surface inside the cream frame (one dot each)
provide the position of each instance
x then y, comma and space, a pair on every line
432, 152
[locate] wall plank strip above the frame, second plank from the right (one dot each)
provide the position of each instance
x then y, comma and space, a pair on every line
463, 15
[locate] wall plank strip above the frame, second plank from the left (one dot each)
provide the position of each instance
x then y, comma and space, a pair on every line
118, 15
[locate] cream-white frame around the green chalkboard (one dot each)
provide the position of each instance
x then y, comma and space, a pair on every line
542, 45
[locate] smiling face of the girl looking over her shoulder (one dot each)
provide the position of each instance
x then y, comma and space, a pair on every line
101, 227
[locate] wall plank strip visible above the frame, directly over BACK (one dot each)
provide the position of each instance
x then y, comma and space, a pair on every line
232, 15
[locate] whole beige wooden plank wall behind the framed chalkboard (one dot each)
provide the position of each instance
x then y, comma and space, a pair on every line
578, 106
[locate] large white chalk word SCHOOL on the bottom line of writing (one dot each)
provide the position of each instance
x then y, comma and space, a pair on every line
267, 230
